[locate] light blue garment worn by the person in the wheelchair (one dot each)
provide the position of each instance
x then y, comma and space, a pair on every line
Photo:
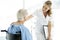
24, 31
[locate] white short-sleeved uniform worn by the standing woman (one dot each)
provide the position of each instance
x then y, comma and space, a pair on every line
39, 21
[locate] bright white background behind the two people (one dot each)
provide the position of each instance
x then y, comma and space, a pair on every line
9, 8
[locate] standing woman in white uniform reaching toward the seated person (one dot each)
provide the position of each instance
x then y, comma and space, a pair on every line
43, 17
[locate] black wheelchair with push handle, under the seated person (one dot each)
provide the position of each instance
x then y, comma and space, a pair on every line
9, 36
